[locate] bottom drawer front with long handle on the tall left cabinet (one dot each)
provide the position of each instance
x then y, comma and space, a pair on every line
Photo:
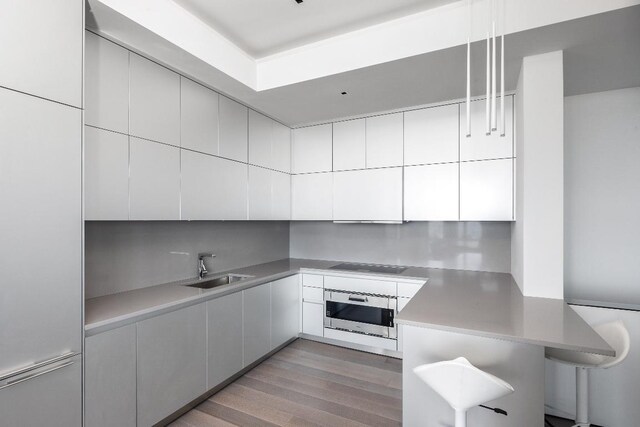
52, 399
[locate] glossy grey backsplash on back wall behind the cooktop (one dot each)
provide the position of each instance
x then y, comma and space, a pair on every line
480, 246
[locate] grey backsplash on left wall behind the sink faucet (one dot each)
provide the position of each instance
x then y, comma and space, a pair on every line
121, 256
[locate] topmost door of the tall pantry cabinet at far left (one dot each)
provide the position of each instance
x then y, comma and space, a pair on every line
41, 45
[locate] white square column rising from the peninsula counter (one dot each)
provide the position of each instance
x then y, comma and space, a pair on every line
537, 242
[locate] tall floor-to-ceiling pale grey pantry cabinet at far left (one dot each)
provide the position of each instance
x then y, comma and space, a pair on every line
41, 216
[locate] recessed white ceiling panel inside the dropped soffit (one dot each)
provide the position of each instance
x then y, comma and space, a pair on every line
265, 27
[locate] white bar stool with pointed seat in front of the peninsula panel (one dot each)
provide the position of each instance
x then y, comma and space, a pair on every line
462, 385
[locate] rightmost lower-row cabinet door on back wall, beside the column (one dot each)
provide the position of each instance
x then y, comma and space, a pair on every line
486, 190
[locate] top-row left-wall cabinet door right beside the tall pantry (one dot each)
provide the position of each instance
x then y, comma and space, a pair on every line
106, 84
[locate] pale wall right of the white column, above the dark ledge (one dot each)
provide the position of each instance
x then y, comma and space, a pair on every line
602, 197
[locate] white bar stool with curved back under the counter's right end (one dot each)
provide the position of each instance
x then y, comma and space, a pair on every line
617, 336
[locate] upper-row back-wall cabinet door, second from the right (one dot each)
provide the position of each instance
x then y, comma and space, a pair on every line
431, 135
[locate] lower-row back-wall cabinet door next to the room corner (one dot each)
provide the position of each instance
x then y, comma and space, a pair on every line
312, 197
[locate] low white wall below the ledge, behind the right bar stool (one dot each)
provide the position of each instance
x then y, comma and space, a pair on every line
613, 392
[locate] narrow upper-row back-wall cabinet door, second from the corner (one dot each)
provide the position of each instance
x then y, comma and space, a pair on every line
349, 145
